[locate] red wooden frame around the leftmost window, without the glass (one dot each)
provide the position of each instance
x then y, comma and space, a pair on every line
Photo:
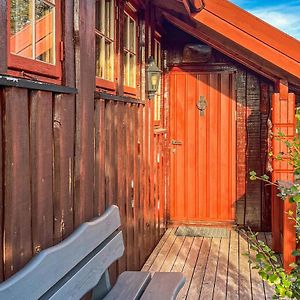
18, 64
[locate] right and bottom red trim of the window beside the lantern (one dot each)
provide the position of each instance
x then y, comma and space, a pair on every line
133, 91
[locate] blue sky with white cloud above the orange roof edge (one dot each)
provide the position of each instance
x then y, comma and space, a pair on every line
284, 15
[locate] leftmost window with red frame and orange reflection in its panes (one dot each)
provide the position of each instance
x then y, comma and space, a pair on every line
34, 27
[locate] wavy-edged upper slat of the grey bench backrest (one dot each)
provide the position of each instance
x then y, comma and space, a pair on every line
52, 264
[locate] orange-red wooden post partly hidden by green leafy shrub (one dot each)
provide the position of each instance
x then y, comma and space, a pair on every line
284, 121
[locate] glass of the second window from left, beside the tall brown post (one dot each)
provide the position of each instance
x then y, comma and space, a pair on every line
105, 39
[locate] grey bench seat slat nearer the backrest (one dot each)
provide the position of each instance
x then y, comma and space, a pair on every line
129, 286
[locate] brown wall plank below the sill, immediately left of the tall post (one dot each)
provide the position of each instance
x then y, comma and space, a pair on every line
64, 140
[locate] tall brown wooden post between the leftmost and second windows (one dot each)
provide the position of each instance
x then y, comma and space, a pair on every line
85, 83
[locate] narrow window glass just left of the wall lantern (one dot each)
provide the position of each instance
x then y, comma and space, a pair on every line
130, 50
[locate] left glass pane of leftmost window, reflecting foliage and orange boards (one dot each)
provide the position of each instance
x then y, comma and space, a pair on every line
21, 27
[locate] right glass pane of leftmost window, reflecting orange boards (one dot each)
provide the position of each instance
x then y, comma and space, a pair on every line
44, 36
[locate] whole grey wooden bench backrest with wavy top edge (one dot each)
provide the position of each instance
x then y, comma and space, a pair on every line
73, 267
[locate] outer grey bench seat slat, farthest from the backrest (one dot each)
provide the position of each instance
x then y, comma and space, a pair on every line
164, 286
